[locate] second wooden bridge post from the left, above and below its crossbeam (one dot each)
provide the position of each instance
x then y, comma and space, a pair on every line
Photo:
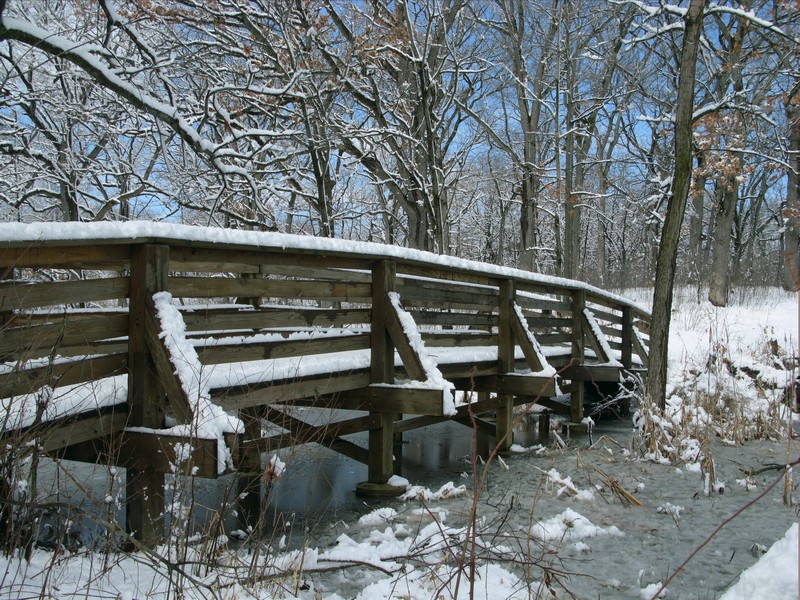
384, 277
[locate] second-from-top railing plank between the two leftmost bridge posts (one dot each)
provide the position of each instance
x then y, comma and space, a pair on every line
226, 287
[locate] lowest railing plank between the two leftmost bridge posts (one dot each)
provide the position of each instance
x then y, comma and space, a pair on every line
250, 351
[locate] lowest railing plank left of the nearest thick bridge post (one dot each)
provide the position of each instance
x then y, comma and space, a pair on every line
25, 381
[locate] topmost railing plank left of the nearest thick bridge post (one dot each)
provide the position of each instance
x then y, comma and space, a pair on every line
101, 256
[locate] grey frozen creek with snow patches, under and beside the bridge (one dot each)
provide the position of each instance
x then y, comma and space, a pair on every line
622, 552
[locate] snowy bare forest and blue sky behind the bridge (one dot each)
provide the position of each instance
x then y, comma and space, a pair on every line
523, 133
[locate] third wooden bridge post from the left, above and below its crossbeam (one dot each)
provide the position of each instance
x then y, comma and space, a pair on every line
505, 364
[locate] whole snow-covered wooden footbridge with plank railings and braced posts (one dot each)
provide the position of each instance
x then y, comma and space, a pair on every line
123, 343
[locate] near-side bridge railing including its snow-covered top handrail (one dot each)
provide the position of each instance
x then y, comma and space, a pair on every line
215, 263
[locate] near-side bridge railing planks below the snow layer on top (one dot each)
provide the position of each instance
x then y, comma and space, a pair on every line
65, 308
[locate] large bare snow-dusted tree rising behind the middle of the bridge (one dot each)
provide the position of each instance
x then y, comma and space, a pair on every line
404, 66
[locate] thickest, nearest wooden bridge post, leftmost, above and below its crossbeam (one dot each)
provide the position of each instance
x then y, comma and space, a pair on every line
144, 508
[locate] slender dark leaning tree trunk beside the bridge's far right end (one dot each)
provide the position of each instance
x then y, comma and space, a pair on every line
682, 177
